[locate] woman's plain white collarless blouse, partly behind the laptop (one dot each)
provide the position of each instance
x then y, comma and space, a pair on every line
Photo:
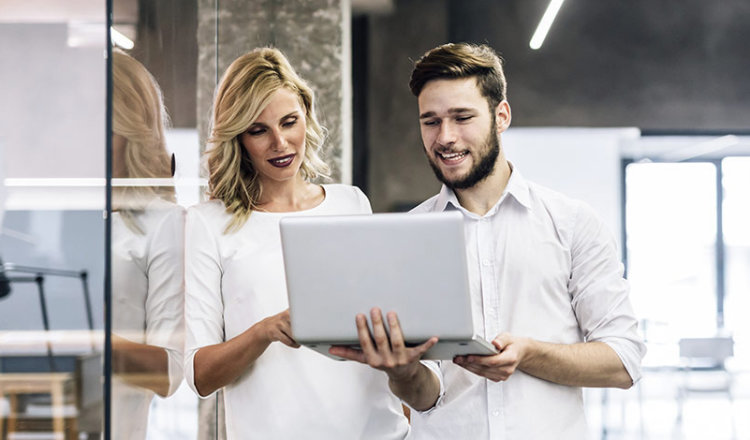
235, 280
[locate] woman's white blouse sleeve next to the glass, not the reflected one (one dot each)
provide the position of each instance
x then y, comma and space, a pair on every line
204, 317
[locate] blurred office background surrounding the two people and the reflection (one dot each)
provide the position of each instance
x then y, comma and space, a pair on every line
639, 108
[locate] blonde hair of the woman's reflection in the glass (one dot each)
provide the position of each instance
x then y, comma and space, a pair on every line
139, 115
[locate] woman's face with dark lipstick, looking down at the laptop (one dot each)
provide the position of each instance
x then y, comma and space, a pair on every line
276, 140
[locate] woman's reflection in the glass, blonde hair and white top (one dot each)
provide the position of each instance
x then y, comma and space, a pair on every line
147, 252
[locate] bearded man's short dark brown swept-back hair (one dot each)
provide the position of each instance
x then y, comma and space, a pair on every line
462, 60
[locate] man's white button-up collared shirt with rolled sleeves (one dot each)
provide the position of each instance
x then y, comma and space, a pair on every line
543, 266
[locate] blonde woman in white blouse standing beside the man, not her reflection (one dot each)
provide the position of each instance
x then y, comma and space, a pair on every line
264, 154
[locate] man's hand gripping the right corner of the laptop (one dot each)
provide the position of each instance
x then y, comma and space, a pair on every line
498, 367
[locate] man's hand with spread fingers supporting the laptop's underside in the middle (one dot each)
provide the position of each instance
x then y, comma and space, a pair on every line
389, 354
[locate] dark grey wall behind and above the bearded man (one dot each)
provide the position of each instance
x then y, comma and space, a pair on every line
653, 65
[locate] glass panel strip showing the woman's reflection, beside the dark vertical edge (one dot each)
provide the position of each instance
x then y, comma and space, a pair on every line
154, 163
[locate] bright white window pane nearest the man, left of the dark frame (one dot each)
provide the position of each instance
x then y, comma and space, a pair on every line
671, 245
